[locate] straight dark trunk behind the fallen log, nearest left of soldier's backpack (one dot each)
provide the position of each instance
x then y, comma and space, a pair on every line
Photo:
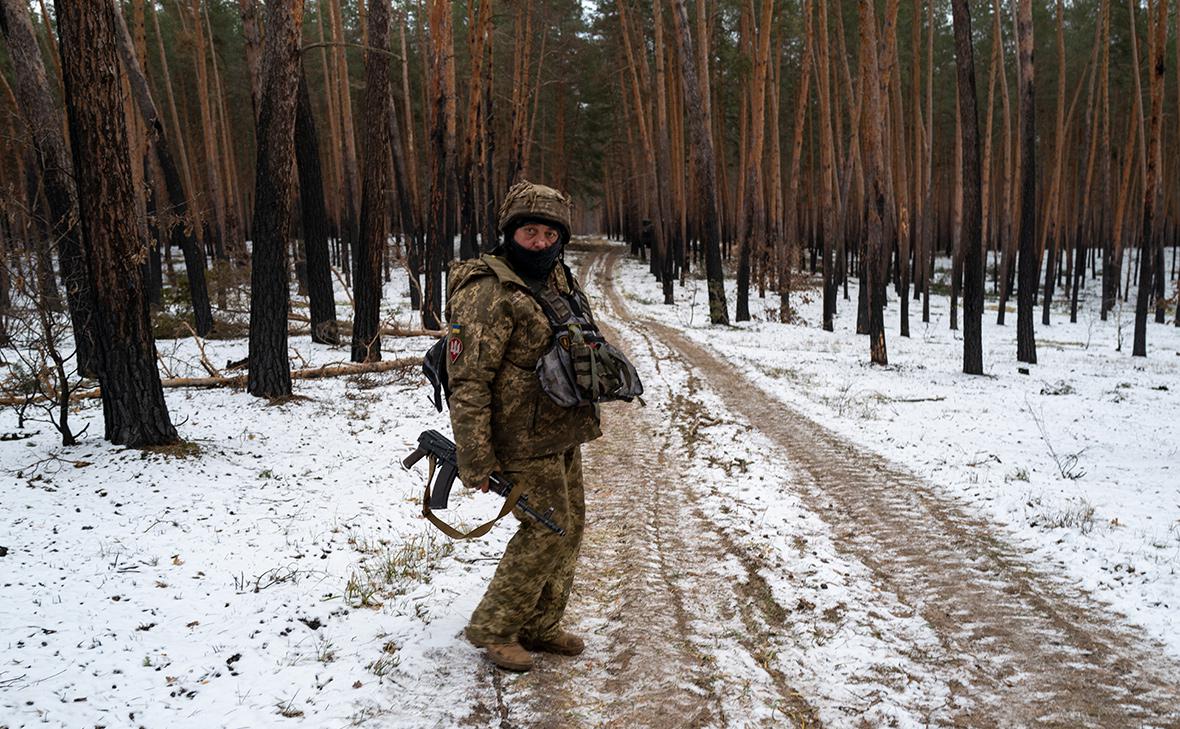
376, 179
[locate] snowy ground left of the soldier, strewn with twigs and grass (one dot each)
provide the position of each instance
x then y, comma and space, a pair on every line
277, 568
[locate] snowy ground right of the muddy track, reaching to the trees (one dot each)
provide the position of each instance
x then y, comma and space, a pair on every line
1078, 461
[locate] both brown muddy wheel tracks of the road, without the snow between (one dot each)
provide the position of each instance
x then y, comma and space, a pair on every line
661, 588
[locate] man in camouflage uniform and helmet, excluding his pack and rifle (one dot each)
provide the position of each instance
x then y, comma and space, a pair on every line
504, 422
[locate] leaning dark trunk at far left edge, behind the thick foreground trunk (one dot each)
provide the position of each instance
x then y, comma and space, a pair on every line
44, 122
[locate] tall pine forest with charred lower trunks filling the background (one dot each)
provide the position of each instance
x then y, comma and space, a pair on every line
241, 149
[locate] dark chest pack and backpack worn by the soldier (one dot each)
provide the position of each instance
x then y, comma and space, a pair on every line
580, 369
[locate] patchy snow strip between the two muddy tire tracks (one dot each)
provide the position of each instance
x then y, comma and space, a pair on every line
848, 646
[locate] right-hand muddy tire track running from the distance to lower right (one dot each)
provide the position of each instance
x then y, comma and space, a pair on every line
1021, 647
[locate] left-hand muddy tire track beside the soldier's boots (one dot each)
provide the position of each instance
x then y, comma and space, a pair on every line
659, 588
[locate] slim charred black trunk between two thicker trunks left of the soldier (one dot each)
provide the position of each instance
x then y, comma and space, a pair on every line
322, 299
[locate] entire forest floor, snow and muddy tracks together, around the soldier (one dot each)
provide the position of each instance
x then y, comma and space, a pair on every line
922, 557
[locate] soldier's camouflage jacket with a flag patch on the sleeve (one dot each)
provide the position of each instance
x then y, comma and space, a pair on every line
497, 333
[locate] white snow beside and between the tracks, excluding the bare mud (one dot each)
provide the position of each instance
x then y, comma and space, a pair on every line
277, 572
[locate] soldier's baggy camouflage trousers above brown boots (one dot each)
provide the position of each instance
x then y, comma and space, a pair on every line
528, 595
